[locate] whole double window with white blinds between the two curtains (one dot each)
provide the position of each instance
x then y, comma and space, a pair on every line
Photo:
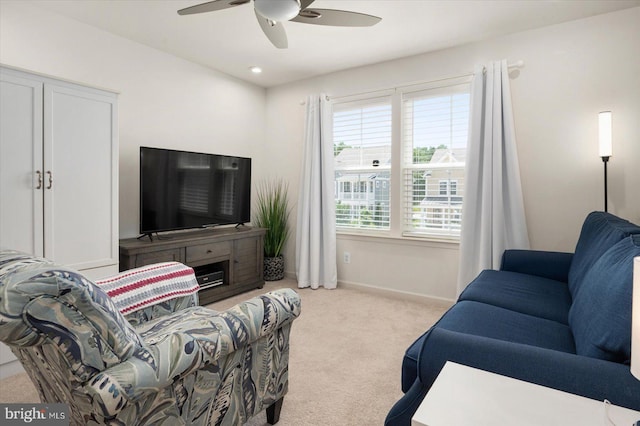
416, 173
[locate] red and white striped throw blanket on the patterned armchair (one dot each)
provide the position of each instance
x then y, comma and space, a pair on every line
138, 288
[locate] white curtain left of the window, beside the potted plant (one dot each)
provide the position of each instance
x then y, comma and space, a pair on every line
316, 229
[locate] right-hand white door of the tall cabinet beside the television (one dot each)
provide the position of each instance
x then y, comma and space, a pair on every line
80, 177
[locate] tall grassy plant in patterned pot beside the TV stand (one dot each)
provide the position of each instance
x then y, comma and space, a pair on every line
272, 213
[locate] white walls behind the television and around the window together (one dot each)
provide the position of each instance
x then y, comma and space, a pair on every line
572, 72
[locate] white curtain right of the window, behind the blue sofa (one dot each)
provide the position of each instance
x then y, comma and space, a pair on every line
493, 216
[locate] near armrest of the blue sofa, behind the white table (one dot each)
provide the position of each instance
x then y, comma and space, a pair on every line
589, 377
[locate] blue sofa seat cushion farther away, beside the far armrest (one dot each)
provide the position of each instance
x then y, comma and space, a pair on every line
527, 294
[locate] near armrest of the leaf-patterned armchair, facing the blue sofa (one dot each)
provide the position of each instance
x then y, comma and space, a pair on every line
180, 344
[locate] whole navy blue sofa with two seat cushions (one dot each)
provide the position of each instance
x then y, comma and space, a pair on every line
561, 320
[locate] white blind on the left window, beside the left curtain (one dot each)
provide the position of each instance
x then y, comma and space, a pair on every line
362, 159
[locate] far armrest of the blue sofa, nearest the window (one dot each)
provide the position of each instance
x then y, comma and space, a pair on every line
546, 264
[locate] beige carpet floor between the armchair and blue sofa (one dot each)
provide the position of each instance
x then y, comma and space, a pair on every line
345, 357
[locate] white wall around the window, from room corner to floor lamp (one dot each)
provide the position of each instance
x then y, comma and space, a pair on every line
572, 71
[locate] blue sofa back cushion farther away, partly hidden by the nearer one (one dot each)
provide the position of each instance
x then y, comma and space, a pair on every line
600, 231
